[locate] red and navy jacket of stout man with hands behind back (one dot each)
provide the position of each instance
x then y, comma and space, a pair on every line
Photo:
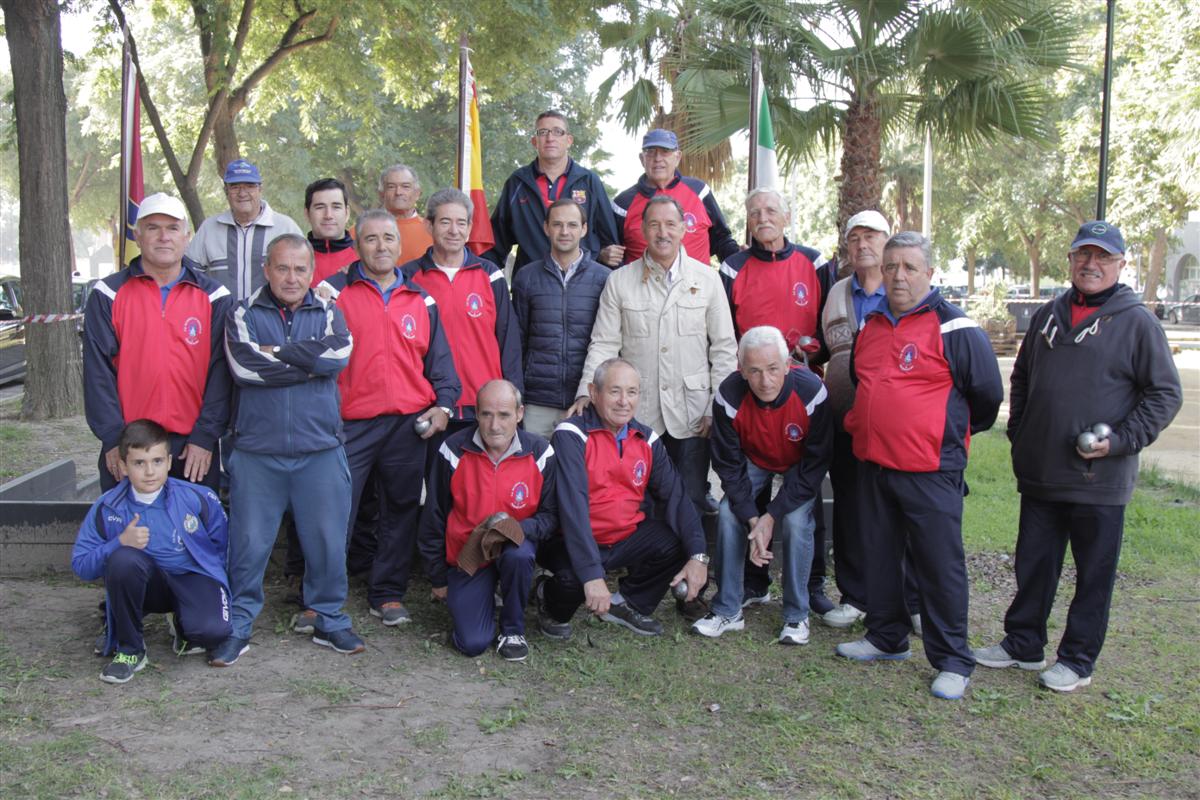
926, 383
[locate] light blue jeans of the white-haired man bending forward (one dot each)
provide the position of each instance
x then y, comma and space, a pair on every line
795, 537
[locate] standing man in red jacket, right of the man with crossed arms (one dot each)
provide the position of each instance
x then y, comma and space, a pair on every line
400, 374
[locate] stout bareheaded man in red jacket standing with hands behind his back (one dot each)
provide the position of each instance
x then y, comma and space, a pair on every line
927, 381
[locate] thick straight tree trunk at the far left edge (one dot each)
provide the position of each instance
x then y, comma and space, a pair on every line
55, 365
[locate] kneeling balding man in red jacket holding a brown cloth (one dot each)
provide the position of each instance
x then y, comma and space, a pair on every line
489, 478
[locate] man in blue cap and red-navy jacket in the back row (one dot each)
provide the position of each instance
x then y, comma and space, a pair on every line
706, 233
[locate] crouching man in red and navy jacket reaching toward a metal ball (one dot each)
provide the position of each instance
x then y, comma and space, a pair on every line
607, 462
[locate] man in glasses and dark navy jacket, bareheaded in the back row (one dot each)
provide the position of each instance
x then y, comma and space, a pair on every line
520, 215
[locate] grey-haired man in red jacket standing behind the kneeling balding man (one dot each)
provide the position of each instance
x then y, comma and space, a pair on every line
473, 300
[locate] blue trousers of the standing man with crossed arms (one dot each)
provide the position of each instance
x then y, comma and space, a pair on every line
317, 489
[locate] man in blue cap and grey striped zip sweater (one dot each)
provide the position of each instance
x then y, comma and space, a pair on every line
232, 246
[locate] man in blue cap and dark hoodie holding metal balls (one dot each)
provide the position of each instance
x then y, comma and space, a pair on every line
1095, 360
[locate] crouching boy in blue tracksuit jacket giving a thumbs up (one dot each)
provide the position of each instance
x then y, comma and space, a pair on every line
160, 544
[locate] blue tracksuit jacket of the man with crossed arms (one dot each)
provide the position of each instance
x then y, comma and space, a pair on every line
287, 401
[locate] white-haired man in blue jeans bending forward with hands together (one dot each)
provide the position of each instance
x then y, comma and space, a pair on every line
767, 420
